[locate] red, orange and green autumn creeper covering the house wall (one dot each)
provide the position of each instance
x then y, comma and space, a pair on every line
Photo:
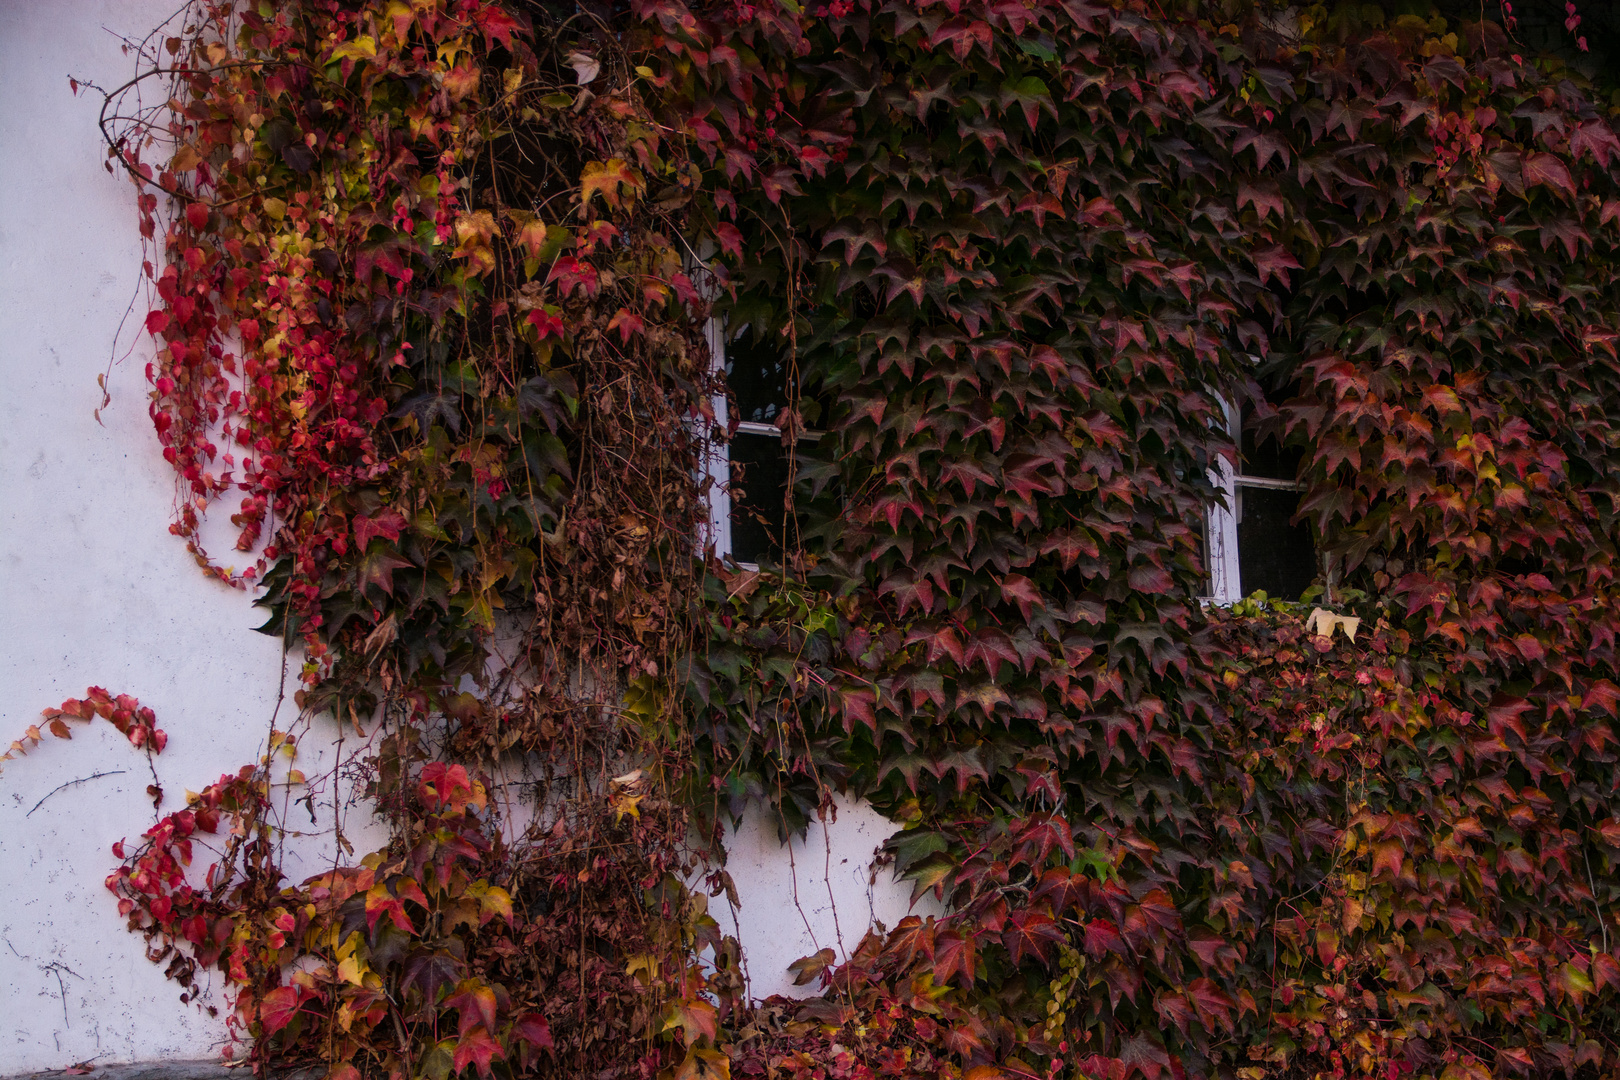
430, 318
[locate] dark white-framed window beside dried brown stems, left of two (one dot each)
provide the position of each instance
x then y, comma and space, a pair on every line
751, 509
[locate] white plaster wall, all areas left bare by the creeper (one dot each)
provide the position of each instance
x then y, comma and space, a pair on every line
96, 592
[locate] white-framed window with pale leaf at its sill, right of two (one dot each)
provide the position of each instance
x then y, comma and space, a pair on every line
1250, 542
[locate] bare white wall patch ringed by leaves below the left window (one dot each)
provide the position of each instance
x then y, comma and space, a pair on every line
822, 891
